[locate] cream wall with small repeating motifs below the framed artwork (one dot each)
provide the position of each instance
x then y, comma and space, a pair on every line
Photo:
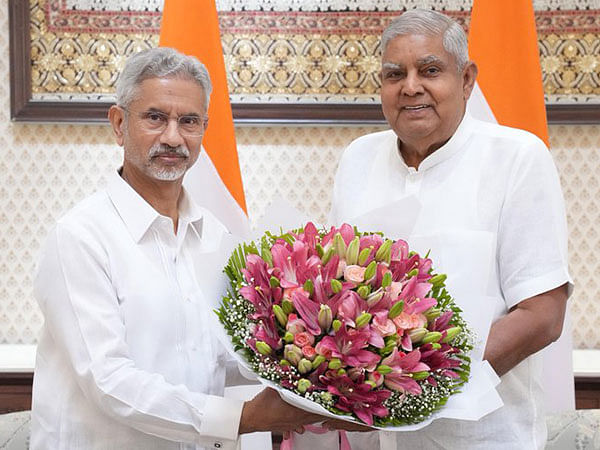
45, 169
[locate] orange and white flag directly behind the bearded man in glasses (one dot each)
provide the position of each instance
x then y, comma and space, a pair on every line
215, 182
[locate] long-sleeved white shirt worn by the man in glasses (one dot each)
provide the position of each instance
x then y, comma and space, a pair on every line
126, 359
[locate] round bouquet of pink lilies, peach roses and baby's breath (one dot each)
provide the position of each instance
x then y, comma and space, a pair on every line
351, 321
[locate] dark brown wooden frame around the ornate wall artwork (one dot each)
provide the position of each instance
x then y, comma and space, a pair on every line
24, 108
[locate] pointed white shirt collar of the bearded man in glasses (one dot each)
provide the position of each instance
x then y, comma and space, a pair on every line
139, 216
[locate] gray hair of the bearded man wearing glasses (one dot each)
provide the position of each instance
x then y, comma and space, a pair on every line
161, 62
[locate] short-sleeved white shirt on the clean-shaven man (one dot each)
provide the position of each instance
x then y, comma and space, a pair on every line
490, 202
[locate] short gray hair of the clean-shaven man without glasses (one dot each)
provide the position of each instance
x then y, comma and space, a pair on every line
430, 23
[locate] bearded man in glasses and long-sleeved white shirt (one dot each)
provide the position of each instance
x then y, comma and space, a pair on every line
127, 359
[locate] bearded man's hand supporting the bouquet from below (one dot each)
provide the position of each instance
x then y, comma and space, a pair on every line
268, 412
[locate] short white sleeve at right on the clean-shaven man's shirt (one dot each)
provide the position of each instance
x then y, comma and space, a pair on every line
532, 232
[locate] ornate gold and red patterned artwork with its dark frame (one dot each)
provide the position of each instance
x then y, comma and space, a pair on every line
288, 61
